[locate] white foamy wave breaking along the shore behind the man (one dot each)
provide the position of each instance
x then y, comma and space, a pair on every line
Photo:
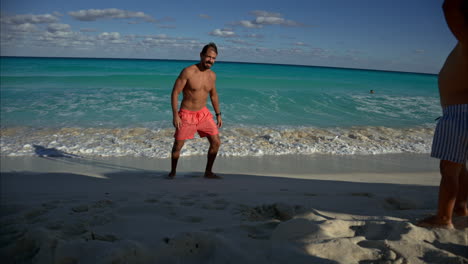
236, 141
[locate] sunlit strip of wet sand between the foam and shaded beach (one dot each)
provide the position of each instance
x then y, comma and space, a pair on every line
291, 165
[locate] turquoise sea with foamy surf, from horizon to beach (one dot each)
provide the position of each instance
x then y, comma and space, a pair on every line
121, 107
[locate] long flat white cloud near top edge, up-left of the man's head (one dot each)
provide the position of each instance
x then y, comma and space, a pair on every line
109, 13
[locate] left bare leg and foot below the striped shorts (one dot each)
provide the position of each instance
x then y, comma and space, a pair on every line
448, 192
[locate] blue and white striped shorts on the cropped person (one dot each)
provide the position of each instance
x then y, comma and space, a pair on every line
451, 135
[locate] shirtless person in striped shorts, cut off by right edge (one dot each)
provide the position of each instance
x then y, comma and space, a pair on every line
451, 136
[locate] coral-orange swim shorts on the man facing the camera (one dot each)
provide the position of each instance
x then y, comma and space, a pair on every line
196, 121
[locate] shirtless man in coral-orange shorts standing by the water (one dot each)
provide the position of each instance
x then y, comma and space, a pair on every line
196, 82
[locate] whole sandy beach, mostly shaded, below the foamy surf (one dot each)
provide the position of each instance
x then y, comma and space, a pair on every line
290, 209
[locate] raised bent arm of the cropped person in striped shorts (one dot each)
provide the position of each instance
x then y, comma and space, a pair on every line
456, 15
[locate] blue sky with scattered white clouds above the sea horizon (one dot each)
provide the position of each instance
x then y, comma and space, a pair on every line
396, 35
